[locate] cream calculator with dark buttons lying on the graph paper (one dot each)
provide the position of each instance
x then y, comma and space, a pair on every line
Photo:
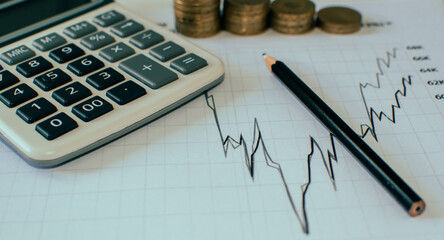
77, 74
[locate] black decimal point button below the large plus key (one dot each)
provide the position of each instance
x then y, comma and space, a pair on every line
125, 92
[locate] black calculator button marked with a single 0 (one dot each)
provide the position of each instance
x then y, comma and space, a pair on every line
56, 126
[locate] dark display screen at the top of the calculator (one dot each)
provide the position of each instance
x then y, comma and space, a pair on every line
19, 16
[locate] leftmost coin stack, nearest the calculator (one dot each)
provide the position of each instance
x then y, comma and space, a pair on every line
197, 18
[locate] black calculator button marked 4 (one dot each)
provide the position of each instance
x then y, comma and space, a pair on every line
17, 95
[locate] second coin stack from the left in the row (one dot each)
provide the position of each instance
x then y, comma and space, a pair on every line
246, 17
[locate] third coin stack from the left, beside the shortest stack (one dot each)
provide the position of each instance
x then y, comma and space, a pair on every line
292, 16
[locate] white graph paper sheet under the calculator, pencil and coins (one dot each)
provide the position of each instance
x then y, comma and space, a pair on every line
235, 163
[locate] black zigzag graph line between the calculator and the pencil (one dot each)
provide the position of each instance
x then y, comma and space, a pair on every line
258, 142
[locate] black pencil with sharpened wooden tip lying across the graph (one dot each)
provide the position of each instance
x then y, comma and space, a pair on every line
405, 196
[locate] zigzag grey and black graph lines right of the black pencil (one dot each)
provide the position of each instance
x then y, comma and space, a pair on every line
373, 114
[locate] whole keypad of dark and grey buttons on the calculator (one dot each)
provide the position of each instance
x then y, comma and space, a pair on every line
79, 57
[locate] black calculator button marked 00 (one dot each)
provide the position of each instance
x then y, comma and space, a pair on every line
92, 108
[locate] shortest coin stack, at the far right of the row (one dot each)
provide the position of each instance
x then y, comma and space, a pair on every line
339, 20
